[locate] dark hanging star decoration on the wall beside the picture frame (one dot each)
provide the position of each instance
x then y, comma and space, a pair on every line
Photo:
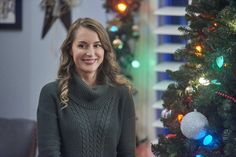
55, 9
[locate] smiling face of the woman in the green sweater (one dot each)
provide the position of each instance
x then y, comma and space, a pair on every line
87, 51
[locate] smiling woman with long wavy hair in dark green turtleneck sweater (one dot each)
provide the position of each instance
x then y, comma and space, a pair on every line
88, 111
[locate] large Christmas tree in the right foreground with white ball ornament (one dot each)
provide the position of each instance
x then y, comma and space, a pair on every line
200, 107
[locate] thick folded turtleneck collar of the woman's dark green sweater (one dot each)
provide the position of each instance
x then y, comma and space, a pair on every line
79, 90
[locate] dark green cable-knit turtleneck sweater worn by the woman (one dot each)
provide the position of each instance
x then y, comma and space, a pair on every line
98, 122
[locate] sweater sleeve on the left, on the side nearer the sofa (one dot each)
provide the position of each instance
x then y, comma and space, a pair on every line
47, 121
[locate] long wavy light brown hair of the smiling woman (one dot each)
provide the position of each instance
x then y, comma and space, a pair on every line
108, 71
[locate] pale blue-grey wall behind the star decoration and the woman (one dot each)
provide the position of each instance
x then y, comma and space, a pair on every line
27, 62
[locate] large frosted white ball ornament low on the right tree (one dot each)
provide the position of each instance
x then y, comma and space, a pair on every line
193, 125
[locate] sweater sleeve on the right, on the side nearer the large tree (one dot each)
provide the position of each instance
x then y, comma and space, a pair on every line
126, 146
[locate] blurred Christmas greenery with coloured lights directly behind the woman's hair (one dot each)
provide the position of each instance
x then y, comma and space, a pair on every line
123, 30
